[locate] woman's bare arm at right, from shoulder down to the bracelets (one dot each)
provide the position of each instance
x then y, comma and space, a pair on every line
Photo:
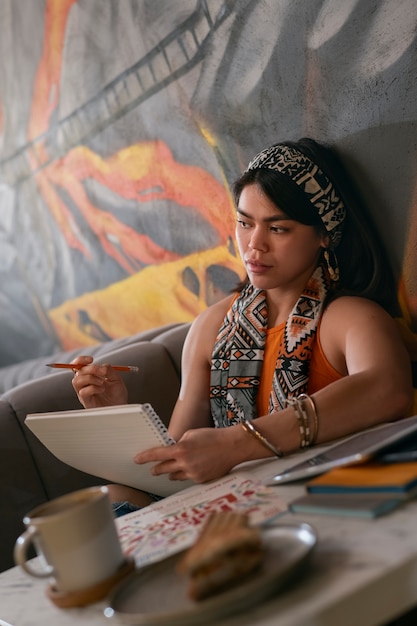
361, 340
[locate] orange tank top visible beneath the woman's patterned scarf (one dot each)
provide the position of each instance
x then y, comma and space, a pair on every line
322, 373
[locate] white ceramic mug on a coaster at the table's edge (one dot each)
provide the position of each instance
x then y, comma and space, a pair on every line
75, 535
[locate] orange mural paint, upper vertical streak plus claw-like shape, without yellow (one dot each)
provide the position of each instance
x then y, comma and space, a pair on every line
145, 171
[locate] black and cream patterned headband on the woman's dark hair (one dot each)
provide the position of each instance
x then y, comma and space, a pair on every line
312, 180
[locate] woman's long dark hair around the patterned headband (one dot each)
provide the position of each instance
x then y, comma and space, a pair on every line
364, 265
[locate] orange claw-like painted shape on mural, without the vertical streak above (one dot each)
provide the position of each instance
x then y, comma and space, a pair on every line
117, 173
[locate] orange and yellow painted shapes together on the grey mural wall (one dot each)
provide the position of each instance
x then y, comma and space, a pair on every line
144, 172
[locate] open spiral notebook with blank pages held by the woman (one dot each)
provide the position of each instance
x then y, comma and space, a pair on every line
104, 441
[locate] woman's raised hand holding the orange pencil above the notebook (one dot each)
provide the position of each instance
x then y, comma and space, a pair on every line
98, 385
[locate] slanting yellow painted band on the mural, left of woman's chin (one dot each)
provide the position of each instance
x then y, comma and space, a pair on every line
155, 296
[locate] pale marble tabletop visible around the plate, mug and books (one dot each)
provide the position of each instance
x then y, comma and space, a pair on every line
362, 572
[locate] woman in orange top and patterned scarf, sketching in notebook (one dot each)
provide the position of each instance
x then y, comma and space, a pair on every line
307, 348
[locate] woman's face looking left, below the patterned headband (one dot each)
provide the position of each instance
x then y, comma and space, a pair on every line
278, 252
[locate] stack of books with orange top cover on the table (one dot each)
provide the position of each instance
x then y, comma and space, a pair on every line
367, 490
